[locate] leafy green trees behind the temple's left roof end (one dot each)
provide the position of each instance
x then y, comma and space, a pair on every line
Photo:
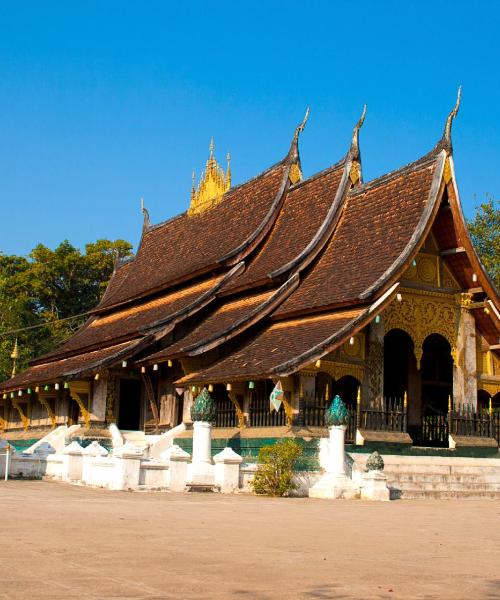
47, 286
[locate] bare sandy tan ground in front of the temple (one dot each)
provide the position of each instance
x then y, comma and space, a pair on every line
64, 542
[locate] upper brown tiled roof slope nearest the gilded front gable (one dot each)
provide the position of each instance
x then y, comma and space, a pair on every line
378, 222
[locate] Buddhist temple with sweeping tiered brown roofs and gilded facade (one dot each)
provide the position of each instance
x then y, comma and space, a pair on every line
331, 285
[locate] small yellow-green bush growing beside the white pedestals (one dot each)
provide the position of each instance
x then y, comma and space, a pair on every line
274, 475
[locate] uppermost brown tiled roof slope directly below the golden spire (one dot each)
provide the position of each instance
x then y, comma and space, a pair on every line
204, 241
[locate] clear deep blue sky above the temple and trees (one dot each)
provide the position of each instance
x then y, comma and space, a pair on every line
105, 102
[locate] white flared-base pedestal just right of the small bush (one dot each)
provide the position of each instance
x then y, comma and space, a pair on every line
335, 483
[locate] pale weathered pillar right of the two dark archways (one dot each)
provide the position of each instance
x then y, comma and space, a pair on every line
464, 368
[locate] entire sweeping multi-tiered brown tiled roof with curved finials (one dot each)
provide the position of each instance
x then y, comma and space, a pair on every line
253, 269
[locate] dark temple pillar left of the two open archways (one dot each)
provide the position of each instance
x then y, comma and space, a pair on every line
373, 384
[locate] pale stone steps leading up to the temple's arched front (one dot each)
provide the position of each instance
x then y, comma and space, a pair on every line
440, 477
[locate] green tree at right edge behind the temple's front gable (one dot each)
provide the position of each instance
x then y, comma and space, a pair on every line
485, 232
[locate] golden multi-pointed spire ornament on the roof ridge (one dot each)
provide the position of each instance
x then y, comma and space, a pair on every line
212, 186
